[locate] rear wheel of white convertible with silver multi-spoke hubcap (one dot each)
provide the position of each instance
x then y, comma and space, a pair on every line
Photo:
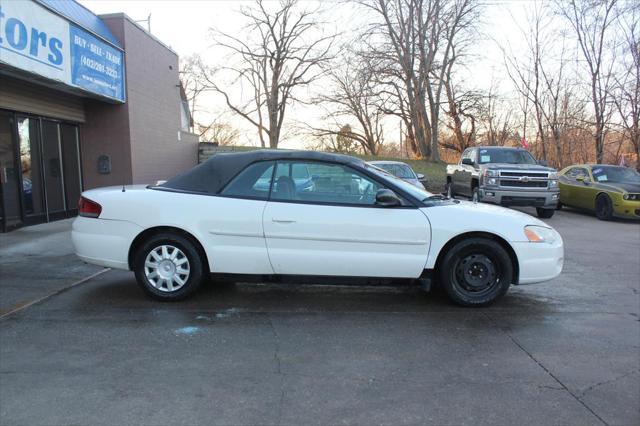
179, 267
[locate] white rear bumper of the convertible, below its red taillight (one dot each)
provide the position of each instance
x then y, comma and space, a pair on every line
104, 242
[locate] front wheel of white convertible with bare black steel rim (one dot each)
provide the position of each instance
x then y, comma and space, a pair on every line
461, 272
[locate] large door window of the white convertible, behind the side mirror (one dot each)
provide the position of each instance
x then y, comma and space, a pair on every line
322, 183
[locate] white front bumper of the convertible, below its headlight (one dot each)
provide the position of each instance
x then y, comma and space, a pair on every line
539, 262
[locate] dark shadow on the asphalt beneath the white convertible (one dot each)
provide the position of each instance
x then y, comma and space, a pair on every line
119, 291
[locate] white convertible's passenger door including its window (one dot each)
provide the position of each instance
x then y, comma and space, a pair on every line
335, 228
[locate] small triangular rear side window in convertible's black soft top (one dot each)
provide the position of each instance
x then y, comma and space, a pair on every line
253, 182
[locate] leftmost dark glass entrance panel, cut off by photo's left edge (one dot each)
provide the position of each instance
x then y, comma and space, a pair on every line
10, 206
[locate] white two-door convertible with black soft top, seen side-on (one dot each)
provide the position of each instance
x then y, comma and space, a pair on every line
245, 213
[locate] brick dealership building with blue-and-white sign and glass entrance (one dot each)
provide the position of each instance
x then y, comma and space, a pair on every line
85, 101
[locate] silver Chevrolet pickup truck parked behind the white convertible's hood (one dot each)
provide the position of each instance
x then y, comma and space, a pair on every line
504, 176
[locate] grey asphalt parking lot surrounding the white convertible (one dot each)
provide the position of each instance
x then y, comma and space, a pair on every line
563, 352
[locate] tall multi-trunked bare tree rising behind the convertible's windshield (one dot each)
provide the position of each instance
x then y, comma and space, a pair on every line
411, 47
